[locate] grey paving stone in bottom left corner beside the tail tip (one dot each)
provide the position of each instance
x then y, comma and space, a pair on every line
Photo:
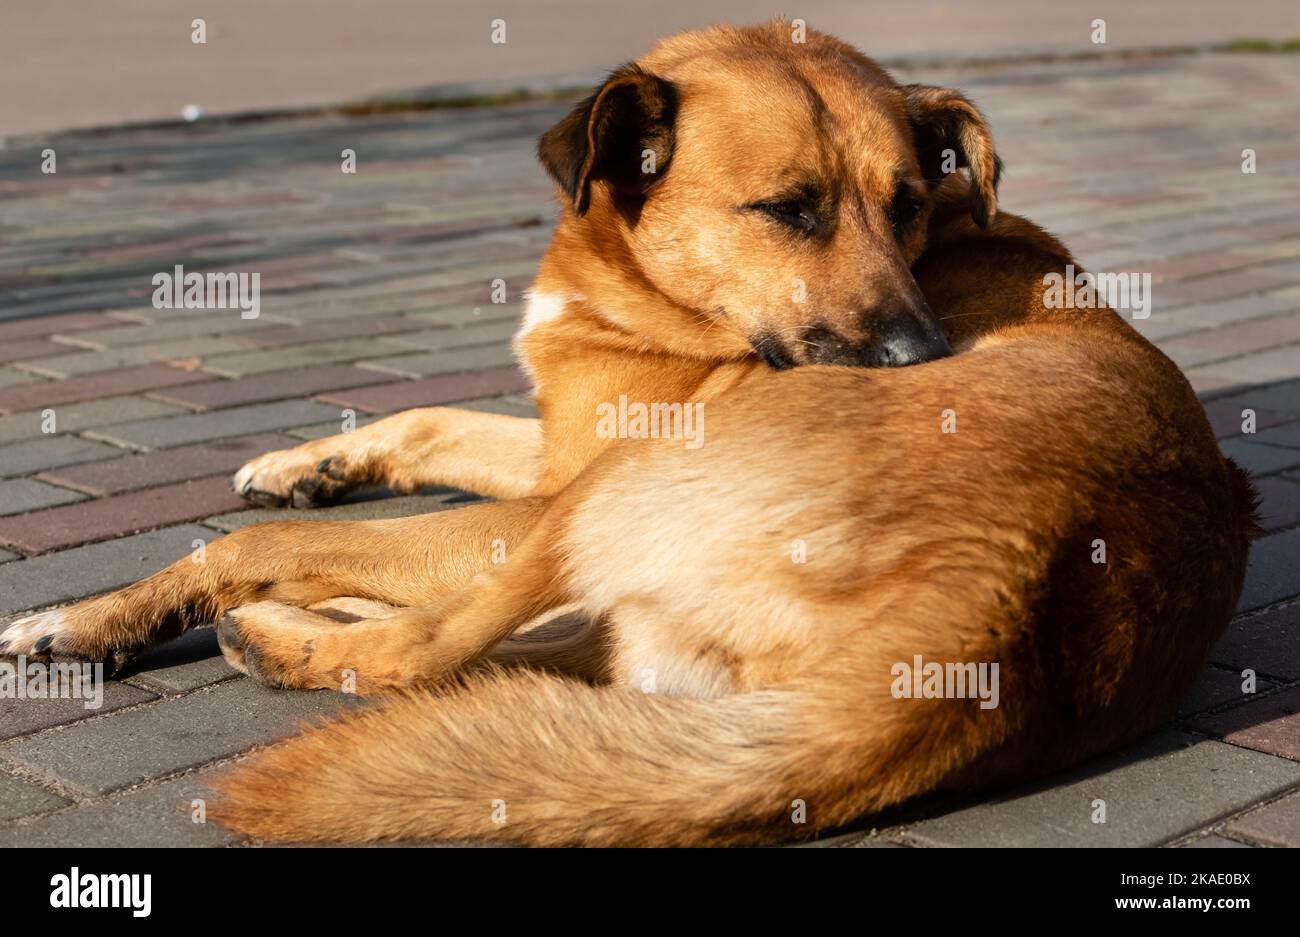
163, 815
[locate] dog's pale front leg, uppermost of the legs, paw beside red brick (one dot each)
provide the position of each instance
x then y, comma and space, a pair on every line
489, 454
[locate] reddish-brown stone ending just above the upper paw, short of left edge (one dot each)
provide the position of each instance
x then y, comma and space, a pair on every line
163, 467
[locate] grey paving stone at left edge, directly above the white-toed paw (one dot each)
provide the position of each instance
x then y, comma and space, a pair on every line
96, 569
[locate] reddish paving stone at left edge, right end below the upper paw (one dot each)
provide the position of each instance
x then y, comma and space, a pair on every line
98, 520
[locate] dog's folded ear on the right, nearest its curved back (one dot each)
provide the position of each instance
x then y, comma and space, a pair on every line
951, 133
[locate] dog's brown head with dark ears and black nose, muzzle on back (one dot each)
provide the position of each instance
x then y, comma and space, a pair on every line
777, 189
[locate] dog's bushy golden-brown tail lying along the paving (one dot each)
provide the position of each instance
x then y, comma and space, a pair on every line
540, 760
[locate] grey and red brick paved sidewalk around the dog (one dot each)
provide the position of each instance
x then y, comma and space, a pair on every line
378, 297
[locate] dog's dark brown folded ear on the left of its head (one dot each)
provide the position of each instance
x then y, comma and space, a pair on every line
606, 137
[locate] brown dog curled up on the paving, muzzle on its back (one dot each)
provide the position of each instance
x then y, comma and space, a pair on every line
1050, 500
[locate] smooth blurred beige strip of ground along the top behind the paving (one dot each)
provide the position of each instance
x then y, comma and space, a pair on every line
90, 64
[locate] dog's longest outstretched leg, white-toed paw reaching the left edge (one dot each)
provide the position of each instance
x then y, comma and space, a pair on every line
404, 562
